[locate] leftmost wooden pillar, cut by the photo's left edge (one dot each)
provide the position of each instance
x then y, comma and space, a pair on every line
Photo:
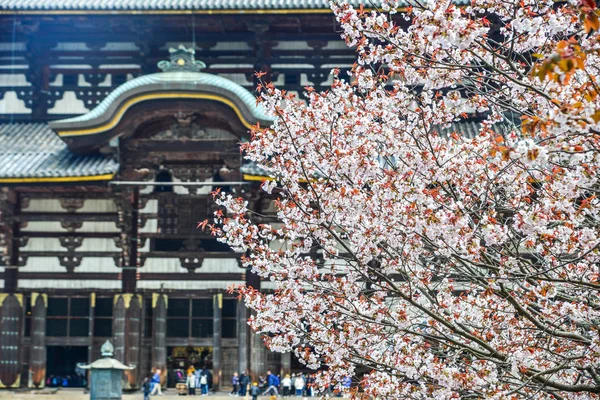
11, 312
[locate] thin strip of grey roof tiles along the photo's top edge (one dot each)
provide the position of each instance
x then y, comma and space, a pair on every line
178, 4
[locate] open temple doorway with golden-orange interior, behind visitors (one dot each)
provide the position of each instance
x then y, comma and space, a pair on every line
181, 359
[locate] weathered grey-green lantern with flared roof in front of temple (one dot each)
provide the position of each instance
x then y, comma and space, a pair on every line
106, 380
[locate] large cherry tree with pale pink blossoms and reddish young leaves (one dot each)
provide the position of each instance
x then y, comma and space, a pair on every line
451, 266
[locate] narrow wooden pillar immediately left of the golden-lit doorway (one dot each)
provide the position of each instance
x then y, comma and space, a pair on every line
159, 334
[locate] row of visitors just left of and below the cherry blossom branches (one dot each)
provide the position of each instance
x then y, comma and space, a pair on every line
300, 385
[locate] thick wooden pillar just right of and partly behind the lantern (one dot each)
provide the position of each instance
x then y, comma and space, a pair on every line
127, 325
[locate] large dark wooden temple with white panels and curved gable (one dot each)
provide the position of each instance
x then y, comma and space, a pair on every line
117, 119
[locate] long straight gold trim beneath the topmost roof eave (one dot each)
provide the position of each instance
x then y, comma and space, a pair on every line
170, 12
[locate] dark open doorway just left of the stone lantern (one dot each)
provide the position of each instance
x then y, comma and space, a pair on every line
61, 366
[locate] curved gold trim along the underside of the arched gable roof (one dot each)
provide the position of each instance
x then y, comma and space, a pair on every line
154, 96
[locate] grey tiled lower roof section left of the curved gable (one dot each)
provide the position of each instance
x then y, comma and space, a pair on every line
35, 151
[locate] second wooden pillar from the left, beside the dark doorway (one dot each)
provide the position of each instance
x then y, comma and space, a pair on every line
37, 351
